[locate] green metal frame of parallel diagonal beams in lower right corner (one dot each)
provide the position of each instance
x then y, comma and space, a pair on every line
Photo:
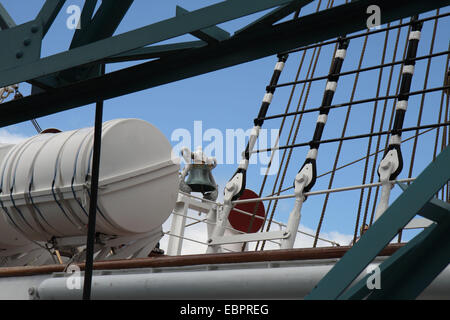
414, 266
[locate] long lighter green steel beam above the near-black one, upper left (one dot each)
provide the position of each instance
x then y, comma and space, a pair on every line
160, 31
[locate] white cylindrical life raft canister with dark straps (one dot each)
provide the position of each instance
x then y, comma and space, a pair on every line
45, 182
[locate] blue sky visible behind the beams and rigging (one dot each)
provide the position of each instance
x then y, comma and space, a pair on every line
230, 99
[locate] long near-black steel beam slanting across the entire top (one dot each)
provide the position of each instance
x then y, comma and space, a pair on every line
241, 48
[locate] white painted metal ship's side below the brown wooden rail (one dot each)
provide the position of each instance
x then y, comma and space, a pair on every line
260, 280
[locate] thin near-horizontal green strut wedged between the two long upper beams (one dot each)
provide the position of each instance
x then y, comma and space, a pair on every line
155, 51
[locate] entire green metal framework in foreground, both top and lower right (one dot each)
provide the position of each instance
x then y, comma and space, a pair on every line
95, 44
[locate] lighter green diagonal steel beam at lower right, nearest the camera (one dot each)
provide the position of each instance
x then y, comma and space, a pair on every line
402, 210
